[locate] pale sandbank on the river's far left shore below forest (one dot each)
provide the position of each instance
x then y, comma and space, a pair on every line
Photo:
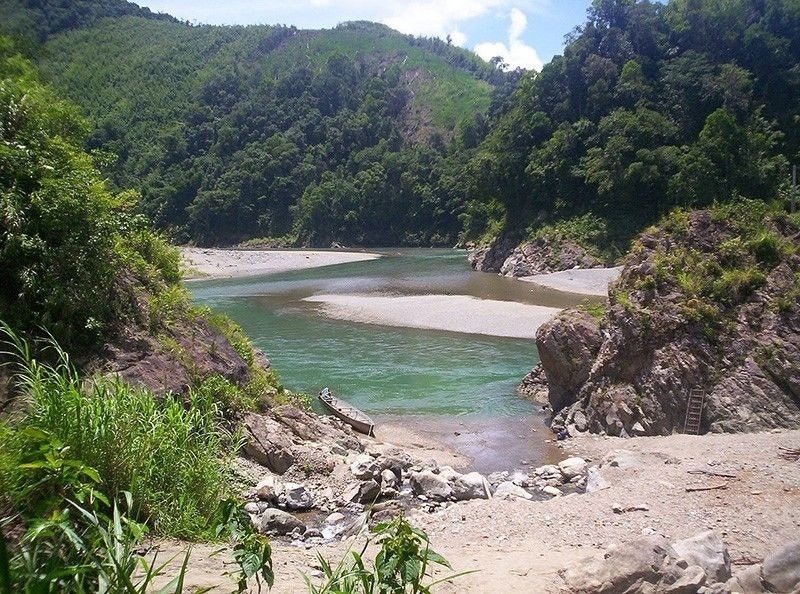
218, 263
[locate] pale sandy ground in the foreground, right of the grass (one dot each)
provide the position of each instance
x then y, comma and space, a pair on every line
521, 546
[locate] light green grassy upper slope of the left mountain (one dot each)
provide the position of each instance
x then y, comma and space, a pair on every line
161, 61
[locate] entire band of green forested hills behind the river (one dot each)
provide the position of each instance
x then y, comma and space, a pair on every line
361, 135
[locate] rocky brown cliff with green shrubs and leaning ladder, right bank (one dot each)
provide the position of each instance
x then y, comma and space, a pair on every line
709, 300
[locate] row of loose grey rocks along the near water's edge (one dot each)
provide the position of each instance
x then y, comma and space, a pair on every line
371, 485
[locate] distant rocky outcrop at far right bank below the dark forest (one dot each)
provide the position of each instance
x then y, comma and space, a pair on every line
540, 256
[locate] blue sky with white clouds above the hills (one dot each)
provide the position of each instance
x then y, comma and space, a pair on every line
525, 33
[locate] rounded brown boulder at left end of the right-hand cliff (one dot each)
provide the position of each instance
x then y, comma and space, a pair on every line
567, 347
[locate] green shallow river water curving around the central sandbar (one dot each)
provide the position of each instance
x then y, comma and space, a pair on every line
431, 378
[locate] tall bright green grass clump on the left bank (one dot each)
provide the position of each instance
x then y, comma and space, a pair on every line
171, 457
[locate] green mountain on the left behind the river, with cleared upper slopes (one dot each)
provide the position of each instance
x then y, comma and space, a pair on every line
231, 133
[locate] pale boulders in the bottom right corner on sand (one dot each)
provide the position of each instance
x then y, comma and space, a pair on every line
697, 565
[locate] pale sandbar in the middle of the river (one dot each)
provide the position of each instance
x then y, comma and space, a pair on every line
455, 313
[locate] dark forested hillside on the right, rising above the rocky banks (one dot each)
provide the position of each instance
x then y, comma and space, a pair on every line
650, 107
